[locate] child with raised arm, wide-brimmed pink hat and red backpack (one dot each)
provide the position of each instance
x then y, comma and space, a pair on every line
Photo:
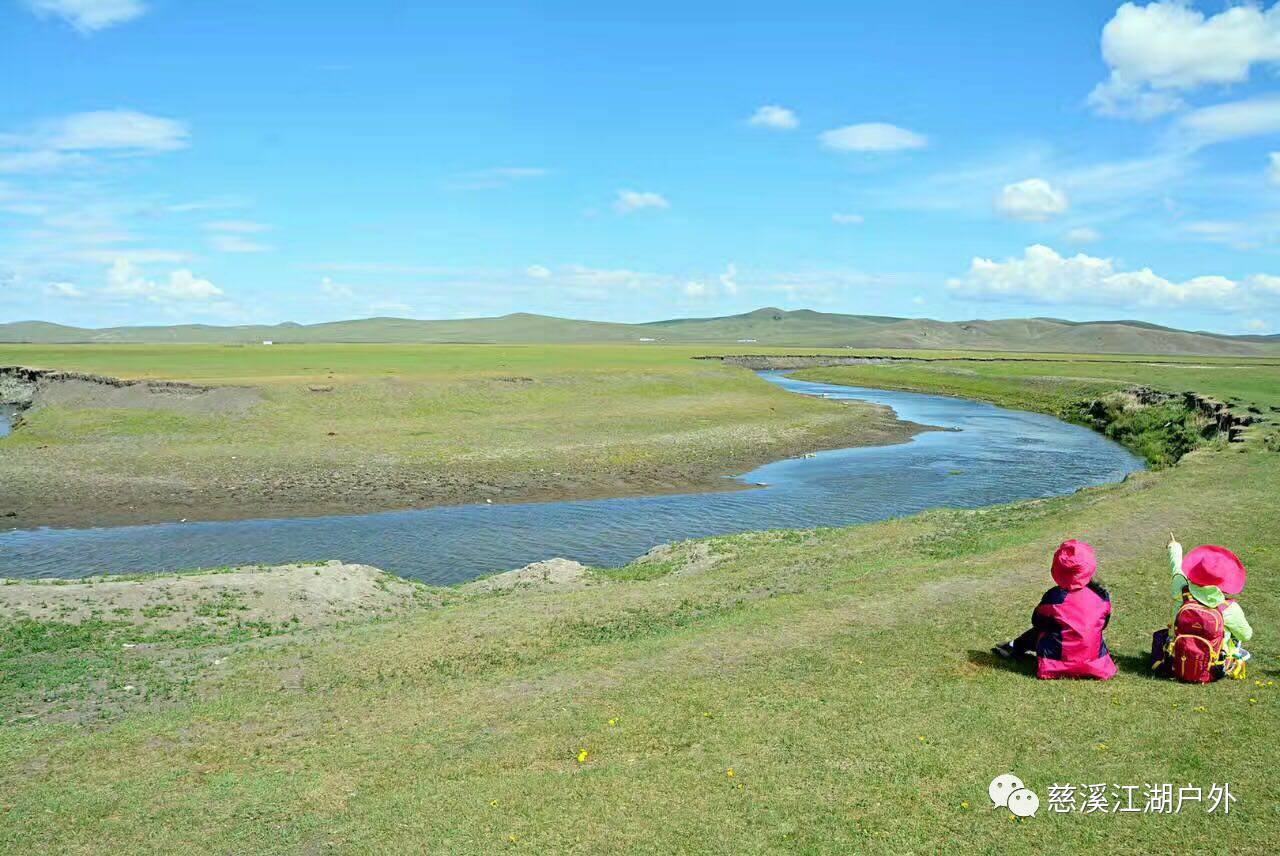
1204, 642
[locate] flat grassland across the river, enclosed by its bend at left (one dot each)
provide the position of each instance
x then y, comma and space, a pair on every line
353, 429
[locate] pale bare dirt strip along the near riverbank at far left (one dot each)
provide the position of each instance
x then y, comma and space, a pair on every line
296, 596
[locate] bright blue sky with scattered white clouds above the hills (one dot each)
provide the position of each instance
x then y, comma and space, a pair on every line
241, 162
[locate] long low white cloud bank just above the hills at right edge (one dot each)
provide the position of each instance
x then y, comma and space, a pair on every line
1045, 277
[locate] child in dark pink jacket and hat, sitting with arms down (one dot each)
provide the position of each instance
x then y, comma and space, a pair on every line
1067, 626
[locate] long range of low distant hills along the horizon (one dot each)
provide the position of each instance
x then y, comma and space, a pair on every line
767, 327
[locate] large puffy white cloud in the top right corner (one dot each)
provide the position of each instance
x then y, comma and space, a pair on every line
1162, 49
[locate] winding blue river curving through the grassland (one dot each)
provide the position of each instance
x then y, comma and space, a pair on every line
995, 456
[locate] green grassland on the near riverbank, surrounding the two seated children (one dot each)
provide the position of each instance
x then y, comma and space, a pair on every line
822, 692
